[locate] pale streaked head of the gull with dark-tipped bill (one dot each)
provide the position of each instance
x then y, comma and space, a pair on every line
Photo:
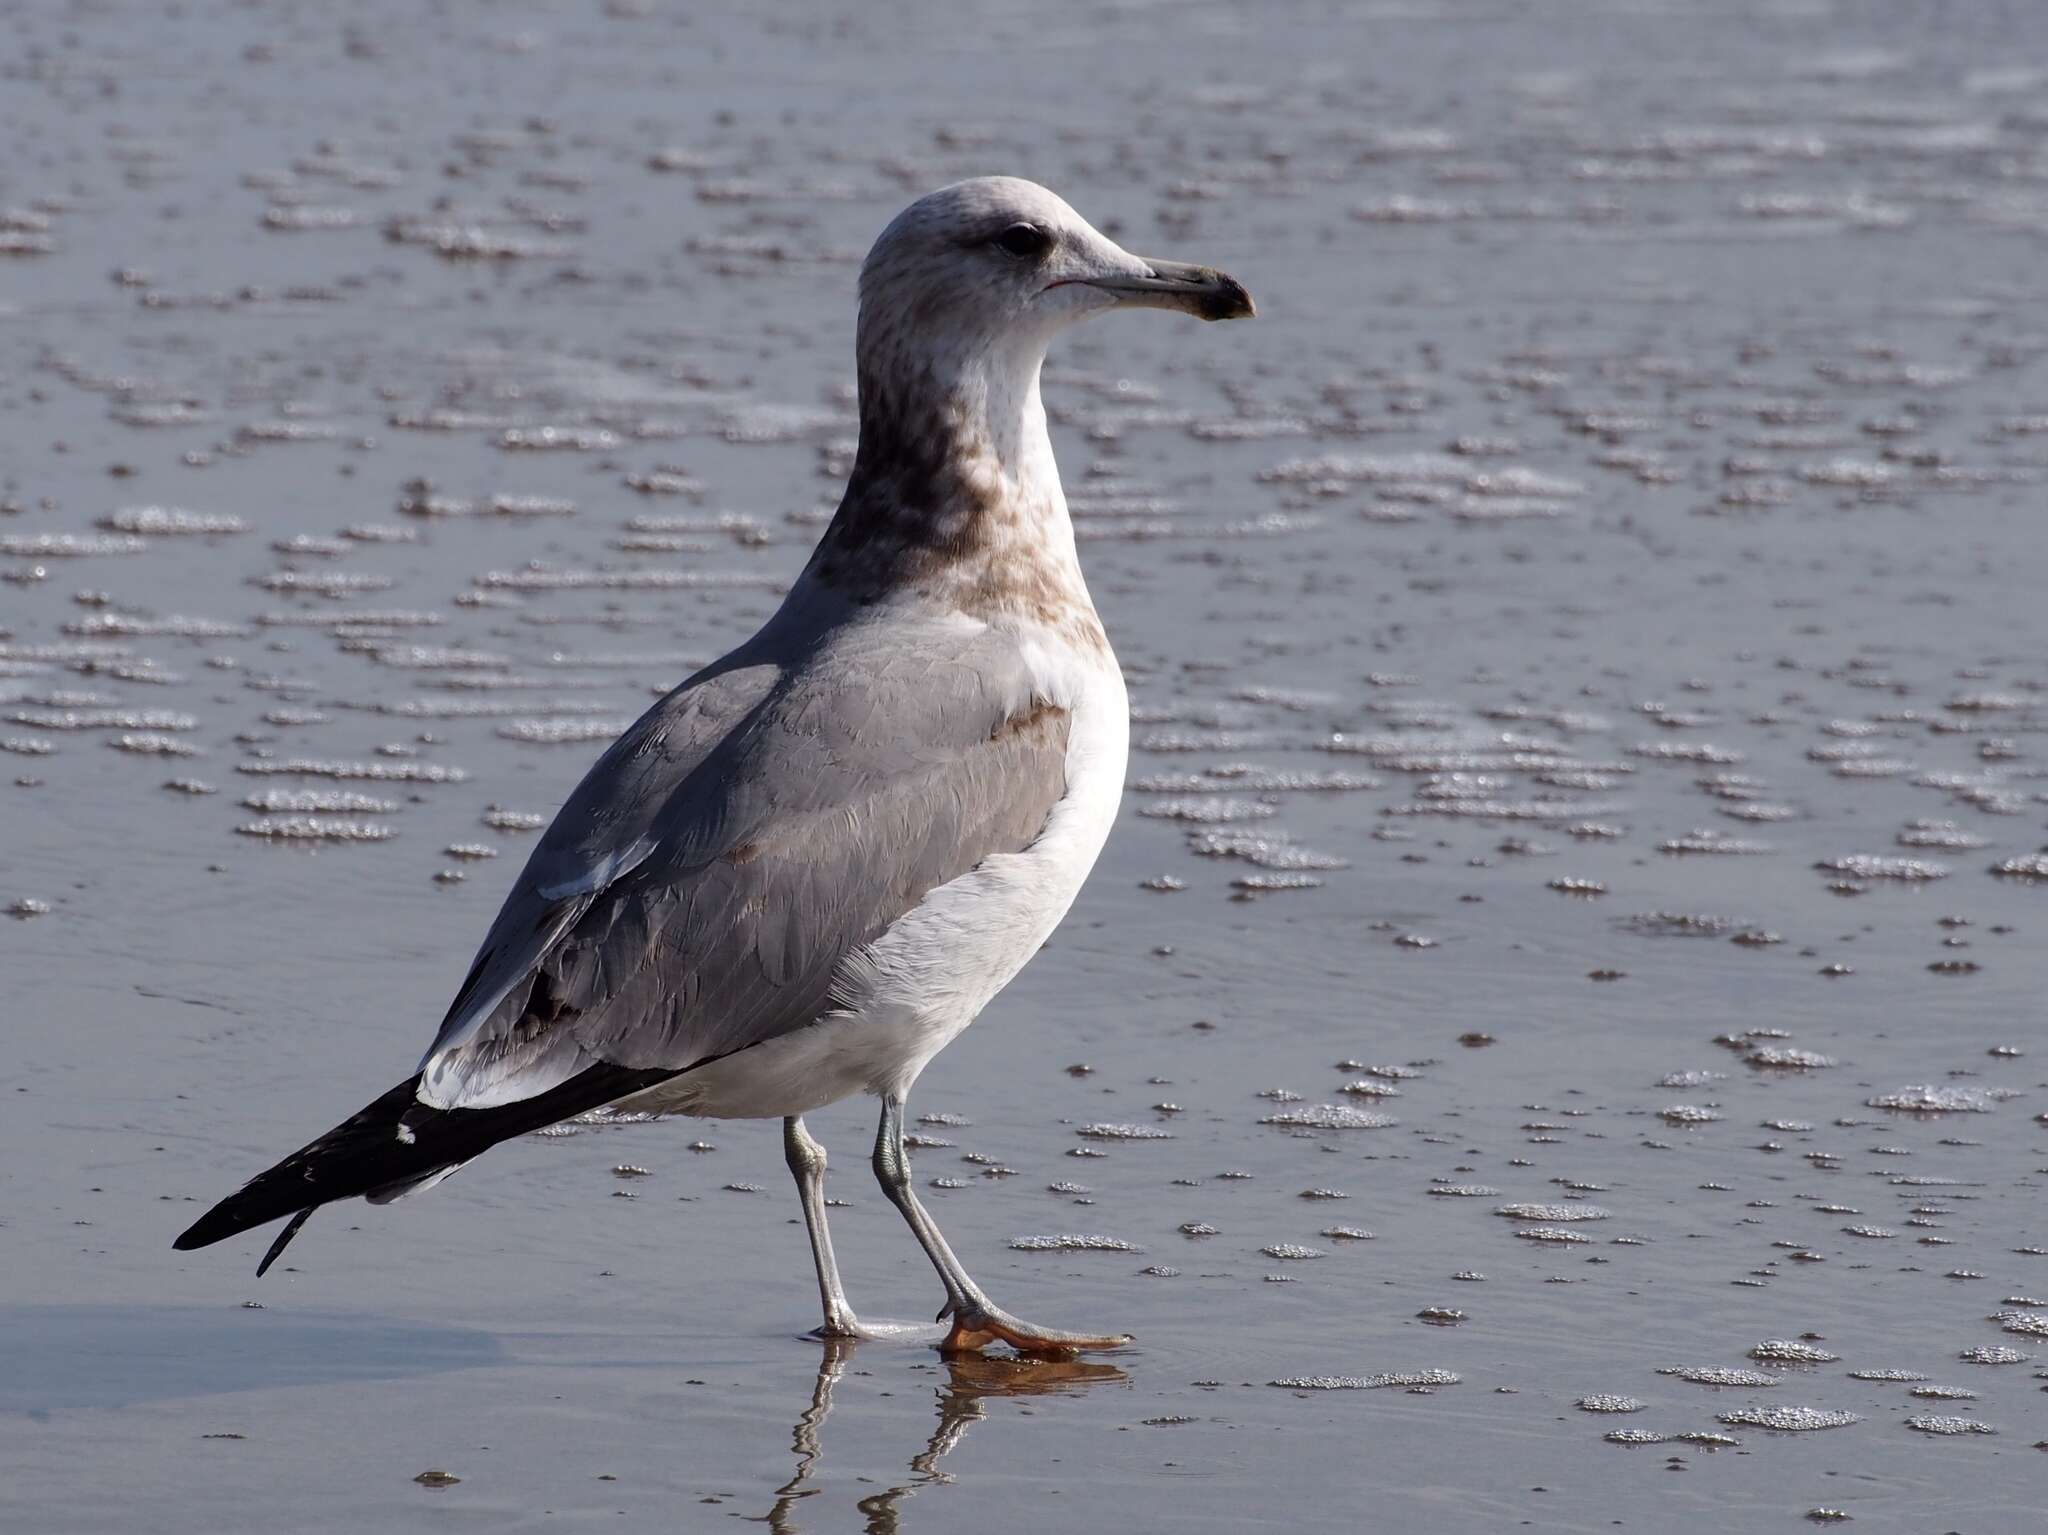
1005, 259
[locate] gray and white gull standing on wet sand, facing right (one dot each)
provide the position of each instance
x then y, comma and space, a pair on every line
812, 865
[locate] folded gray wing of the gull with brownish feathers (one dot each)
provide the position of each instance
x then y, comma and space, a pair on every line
706, 883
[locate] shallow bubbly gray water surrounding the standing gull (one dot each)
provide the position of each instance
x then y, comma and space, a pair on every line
1588, 683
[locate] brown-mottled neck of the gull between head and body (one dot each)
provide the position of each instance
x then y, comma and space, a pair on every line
955, 494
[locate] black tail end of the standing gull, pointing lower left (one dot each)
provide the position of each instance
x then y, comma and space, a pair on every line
394, 1147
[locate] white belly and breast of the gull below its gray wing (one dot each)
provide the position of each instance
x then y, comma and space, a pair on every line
939, 965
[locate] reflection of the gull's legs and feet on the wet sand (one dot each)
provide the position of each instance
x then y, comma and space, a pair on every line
970, 1378
